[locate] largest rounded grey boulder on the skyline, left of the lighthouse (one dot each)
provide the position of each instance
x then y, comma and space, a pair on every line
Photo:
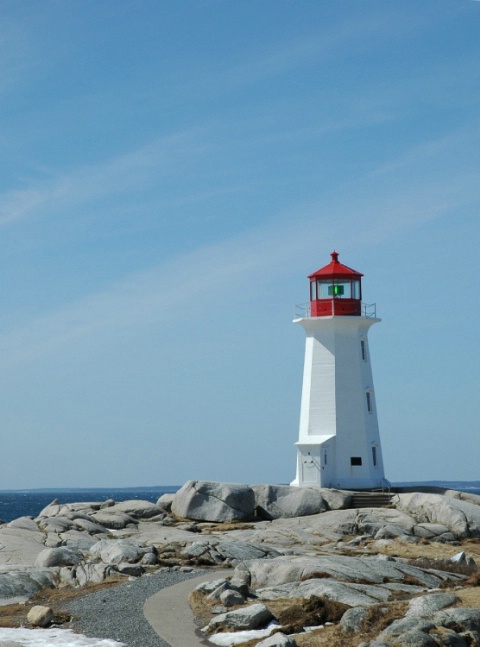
212, 501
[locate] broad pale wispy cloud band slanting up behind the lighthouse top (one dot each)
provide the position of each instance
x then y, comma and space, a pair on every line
245, 264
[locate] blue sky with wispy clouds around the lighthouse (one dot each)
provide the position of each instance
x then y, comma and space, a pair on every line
171, 172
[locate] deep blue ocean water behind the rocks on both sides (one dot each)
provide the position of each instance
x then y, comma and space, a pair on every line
20, 503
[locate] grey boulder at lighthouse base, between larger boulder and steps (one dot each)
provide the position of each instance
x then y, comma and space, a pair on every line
283, 501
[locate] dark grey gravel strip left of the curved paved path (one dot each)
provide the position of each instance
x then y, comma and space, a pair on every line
117, 613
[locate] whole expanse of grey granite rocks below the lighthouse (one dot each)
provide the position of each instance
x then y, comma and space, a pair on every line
319, 554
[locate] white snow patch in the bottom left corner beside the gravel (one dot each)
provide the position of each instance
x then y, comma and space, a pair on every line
53, 638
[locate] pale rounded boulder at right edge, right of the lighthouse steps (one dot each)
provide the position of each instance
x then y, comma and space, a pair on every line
460, 517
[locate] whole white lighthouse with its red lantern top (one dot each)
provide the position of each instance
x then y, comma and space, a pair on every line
339, 442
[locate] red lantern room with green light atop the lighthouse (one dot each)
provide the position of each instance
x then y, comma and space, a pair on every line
335, 290
